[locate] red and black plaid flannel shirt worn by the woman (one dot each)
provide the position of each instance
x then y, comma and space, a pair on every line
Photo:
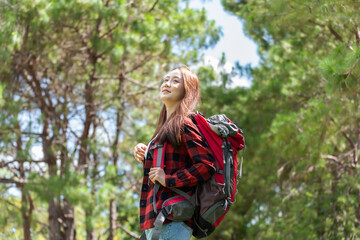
184, 167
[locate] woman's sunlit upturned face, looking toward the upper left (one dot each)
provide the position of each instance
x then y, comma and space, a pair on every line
172, 89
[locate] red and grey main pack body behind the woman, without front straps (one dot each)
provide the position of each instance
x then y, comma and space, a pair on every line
215, 196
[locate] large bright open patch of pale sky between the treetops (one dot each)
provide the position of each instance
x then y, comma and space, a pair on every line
234, 43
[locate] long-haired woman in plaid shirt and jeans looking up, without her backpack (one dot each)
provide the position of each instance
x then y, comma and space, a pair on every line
188, 158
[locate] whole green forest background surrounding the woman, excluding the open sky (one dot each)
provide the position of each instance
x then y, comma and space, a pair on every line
79, 84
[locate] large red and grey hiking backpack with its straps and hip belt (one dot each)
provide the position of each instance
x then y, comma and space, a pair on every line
212, 198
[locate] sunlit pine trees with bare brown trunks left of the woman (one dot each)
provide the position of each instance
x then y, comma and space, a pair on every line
74, 73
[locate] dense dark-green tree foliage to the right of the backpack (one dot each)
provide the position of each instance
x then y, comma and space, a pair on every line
302, 120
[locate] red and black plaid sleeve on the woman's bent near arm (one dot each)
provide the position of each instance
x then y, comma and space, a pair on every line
203, 161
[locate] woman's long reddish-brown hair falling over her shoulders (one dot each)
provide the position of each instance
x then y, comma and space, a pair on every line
170, 129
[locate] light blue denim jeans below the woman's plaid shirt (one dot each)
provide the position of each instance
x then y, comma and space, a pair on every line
172, 231
